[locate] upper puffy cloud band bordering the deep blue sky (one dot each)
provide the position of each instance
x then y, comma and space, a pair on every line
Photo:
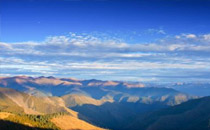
87, 46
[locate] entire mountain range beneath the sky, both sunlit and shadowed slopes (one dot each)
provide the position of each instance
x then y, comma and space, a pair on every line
69, 103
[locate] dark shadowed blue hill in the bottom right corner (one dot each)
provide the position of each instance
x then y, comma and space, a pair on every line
192, 115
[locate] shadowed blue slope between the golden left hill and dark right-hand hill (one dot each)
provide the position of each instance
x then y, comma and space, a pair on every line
114, 115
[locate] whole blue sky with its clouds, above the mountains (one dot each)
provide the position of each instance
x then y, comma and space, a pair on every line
131, 40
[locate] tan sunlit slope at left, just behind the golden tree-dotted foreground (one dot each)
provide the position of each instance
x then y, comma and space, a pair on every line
12, 100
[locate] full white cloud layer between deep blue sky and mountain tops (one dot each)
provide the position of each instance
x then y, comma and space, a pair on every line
182, 57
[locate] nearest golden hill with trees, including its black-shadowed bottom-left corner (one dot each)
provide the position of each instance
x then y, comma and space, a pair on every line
63, 121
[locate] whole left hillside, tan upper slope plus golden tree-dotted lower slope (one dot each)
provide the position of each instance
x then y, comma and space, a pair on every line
30, 112
